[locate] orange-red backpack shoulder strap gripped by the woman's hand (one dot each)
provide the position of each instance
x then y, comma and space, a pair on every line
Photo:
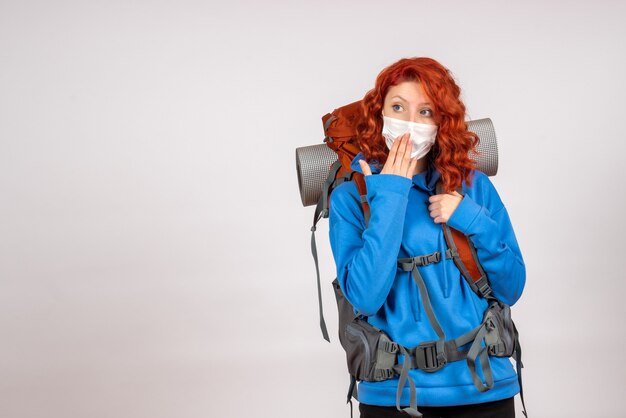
462, 251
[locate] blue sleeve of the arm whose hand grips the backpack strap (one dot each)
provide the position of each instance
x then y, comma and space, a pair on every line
486, 221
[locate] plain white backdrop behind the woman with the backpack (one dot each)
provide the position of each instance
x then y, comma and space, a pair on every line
154, 253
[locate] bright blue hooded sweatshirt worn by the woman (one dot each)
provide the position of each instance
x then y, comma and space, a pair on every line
401, 226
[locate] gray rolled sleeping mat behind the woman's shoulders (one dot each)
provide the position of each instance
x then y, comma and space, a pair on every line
313, 162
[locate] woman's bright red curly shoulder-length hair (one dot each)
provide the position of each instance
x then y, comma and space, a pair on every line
450, 151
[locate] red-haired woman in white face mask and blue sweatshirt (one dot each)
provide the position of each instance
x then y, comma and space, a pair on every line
411, 136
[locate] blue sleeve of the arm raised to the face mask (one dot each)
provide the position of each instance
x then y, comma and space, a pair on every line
366, 259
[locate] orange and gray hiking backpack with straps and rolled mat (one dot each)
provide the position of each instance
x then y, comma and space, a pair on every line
371, 355
